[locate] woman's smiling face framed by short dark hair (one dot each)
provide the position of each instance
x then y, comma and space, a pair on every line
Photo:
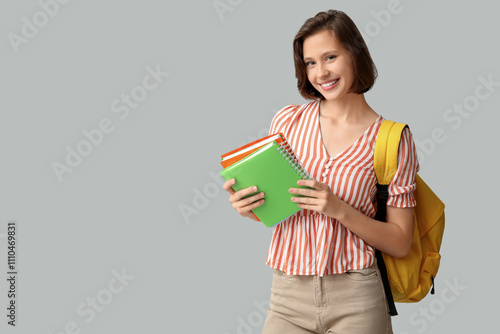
328, 65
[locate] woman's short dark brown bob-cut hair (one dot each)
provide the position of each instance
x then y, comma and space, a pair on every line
349, 37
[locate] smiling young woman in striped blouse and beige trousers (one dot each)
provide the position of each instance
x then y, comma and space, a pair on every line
326, 278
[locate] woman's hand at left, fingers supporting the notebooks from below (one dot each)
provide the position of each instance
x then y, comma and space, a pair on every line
244, 206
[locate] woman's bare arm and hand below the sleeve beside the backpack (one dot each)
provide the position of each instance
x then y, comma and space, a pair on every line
393, 237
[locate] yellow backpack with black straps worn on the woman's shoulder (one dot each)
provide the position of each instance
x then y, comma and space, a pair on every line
407, 279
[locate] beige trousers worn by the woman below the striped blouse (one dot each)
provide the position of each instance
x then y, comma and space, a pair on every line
349, 303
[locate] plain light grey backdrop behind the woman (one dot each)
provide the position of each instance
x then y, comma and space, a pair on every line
229, 72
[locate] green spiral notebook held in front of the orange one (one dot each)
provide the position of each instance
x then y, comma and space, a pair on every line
274, 170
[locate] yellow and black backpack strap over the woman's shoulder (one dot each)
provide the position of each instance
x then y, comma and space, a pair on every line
385, 164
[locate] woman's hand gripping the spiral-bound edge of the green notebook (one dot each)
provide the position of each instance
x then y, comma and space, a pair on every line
320, 199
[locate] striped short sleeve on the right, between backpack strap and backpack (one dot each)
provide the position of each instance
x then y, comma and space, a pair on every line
403, 184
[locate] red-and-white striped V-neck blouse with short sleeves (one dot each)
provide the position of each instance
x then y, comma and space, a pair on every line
310, 243
